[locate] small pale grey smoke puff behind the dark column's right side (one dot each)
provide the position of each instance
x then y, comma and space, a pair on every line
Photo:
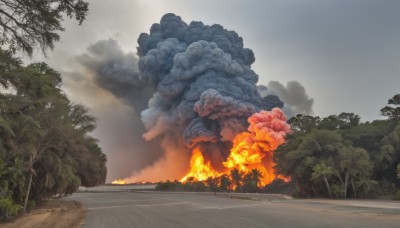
293, 98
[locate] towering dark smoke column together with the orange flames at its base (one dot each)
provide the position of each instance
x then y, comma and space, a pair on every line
206, 109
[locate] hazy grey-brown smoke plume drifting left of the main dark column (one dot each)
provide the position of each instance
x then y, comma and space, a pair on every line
109, 80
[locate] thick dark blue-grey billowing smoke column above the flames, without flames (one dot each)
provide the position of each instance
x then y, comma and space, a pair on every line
205, 87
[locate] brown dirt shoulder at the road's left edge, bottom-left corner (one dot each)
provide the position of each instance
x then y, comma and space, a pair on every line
53, 213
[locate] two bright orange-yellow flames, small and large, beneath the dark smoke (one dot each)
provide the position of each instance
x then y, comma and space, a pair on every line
251, 150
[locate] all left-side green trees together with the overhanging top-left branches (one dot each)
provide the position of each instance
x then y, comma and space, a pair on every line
45, 146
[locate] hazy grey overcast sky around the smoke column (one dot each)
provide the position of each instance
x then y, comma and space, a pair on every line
345, 54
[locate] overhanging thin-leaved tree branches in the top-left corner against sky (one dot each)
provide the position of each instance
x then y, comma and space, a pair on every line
30, 23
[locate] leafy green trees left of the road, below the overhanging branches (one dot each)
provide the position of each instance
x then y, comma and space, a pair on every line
45, 148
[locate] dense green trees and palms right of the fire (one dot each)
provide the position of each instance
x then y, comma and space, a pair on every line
339, 157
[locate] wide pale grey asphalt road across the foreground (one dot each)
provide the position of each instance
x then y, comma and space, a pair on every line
155, 209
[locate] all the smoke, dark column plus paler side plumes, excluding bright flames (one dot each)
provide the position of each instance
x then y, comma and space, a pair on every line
191, 86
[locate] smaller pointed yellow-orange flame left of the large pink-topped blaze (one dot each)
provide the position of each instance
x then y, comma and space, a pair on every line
198, 169
